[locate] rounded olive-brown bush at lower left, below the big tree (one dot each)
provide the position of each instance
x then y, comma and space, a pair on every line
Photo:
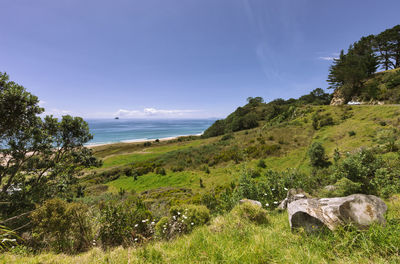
61, 226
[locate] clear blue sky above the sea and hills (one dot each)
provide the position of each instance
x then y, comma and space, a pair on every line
177, 58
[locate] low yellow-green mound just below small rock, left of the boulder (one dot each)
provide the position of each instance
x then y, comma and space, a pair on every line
251, 212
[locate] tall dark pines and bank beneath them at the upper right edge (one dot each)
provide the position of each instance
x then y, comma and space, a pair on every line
350, 75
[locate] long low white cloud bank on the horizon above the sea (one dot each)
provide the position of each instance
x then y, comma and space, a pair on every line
153, 112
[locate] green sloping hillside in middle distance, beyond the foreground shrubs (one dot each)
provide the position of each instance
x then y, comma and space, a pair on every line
282, 146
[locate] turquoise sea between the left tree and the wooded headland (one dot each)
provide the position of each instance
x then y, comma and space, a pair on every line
128, 130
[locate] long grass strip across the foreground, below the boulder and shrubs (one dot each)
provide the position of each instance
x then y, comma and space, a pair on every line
229, 239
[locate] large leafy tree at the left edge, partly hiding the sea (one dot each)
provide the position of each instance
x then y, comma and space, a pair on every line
39, 157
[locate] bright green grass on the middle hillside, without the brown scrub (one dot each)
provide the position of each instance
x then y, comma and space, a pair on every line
296, 136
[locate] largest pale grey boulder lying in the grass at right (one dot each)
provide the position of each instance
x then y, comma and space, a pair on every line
314, 214
